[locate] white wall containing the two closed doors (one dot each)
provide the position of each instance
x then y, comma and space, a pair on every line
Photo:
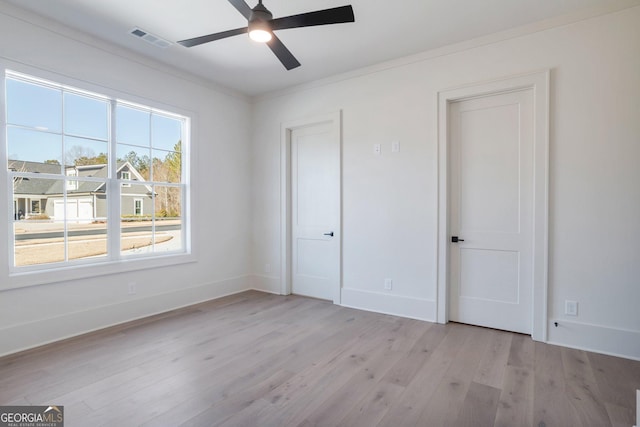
390, 201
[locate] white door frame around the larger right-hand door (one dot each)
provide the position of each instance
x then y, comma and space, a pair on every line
538, 82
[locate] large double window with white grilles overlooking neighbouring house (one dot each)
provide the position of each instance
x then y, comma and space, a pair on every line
95, 179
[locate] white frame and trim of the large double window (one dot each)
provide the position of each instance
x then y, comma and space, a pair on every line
16, 277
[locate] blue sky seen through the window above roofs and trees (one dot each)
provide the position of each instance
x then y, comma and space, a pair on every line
43, 123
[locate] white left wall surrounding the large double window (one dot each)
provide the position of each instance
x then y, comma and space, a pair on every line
37, 314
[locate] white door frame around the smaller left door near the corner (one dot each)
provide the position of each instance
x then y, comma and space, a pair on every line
335, 120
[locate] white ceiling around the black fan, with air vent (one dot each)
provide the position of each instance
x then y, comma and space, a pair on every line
384, 30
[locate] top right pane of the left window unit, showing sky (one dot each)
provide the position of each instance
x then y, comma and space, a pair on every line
85, 116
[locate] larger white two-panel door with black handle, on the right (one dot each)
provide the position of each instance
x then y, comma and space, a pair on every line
491, 211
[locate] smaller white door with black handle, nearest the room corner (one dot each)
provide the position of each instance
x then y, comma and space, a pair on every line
315, 216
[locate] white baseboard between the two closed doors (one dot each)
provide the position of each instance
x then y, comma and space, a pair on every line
413, 308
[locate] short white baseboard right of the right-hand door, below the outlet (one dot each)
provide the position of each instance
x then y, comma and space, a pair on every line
596, 338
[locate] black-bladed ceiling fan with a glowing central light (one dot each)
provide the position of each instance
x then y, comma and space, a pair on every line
261, 26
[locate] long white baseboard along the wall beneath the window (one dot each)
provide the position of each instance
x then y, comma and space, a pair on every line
24, 336
